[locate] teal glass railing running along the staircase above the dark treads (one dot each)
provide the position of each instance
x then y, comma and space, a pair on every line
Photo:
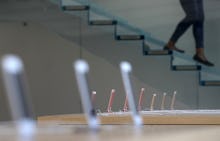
125, 27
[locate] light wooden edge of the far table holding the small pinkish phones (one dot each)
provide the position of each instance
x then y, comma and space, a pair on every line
149, 118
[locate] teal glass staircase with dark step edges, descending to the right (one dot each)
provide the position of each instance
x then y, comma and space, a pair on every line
97, 16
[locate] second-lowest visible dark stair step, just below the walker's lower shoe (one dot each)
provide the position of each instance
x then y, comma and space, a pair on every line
186, 67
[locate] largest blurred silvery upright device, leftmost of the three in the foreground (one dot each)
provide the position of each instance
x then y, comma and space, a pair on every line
16, 88
